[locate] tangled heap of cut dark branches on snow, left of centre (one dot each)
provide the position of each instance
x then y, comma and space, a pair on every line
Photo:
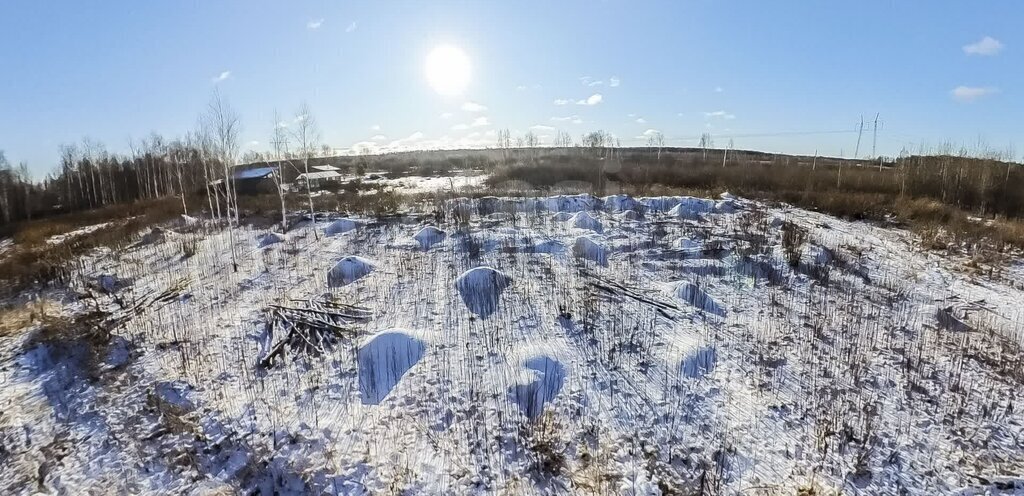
309, 327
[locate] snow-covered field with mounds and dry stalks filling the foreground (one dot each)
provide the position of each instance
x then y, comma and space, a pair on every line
646, 347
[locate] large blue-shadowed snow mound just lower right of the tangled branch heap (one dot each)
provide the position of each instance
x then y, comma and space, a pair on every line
383, 359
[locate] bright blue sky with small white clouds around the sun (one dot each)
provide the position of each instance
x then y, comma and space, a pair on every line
766, 75
